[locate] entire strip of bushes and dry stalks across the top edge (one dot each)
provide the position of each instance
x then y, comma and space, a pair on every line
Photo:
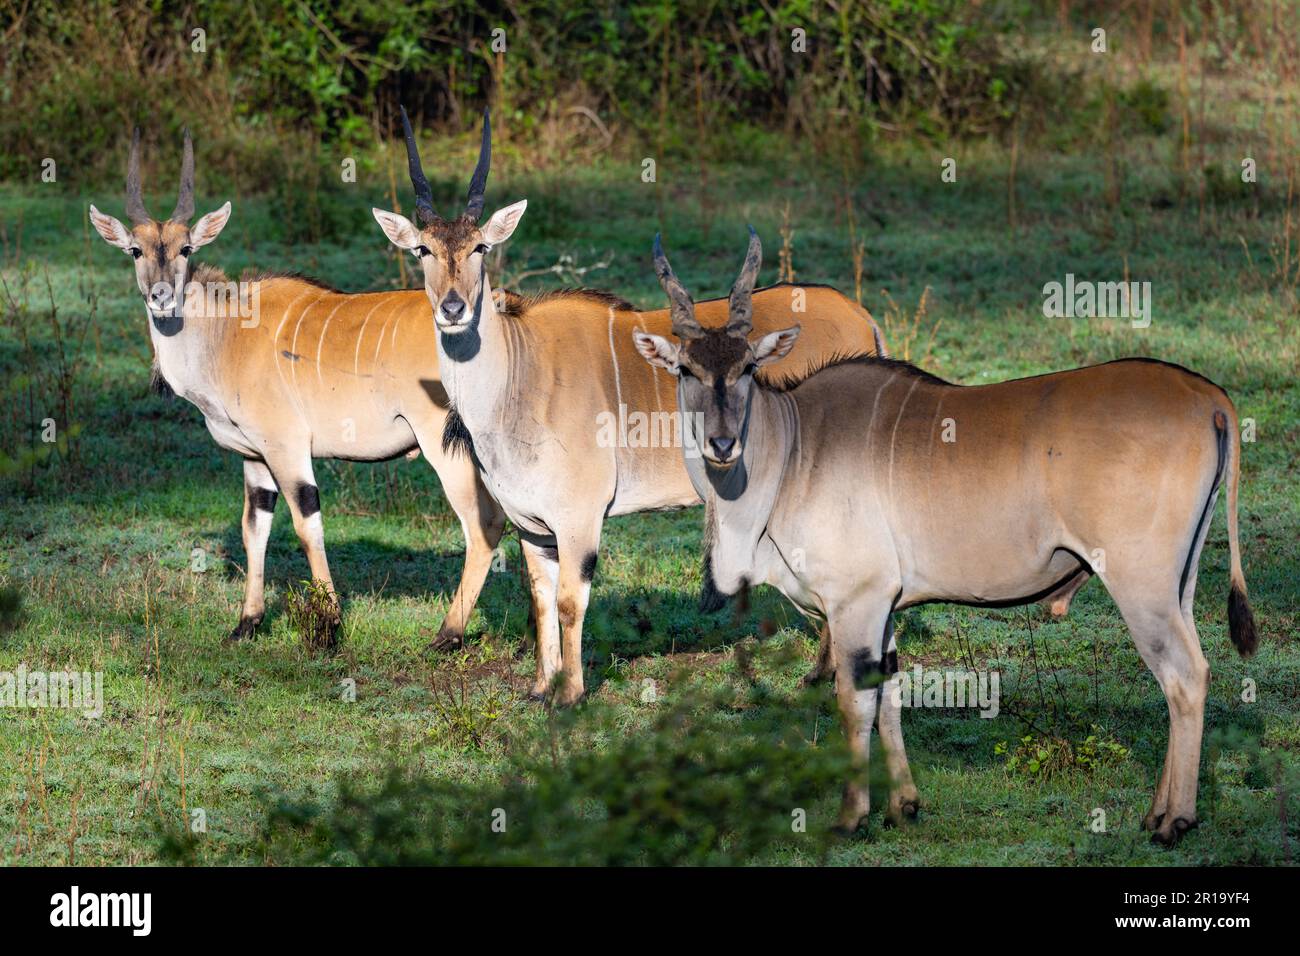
271, 84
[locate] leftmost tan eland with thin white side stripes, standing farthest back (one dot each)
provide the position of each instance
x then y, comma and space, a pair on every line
284, 371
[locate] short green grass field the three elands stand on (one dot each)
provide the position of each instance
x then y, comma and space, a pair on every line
101, 543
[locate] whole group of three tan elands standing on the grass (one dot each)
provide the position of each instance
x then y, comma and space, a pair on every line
856, 485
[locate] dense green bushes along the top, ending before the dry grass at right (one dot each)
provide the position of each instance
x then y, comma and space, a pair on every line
274, 81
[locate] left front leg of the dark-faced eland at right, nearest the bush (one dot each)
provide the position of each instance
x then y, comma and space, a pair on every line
857, 650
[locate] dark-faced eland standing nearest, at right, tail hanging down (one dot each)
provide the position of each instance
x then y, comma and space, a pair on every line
1112, 469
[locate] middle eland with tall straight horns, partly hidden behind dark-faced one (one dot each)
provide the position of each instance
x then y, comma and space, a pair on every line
541, 391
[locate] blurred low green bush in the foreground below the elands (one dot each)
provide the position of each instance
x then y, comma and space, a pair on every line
716, 777
